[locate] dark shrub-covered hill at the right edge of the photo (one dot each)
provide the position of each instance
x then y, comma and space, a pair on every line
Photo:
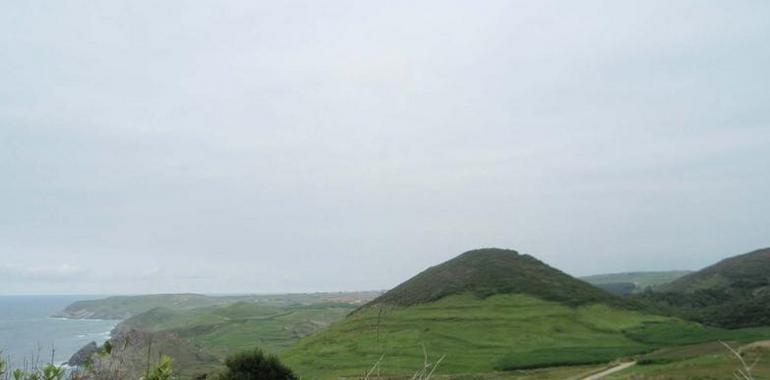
732, 293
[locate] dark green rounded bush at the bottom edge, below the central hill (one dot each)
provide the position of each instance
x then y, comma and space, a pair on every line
255, 365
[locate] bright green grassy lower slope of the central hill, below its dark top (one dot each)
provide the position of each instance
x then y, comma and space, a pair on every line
501, 332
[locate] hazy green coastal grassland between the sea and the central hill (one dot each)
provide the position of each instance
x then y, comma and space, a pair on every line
199, 338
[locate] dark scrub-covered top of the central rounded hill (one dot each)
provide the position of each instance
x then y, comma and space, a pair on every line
486, 272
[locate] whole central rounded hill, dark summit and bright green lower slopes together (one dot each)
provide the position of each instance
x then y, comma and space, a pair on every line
488, 311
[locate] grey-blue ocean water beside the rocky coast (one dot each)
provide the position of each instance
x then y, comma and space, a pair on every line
28, 332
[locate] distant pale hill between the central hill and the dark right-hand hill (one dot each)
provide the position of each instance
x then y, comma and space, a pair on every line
633, 282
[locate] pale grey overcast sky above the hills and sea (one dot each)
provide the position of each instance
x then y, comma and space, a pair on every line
274, 146
